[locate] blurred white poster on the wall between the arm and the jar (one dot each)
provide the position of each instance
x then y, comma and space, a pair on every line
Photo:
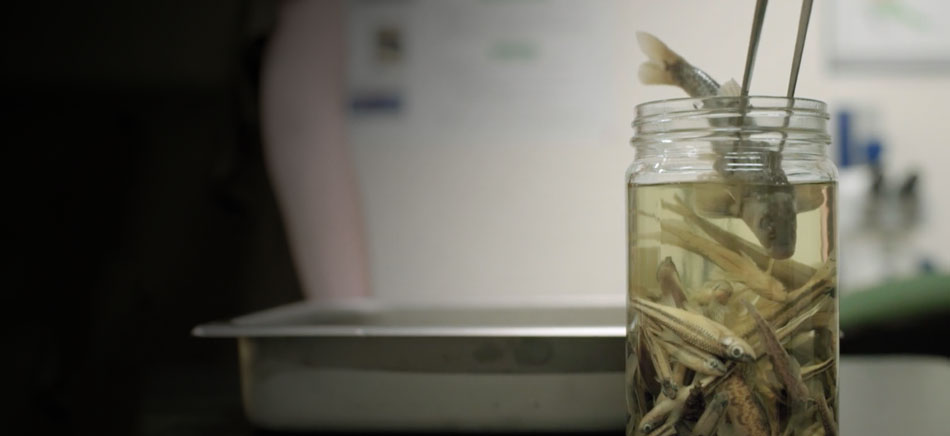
486, 72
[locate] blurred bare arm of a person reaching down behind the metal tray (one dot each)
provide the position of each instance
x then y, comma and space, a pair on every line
304, 118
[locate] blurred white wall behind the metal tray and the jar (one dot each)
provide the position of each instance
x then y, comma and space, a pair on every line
501, 178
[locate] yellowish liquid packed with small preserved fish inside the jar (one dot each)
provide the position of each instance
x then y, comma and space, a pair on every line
721, 336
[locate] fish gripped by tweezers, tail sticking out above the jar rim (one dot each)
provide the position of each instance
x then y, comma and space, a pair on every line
761, 194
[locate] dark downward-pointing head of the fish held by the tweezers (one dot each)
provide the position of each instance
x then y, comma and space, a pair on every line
772, 217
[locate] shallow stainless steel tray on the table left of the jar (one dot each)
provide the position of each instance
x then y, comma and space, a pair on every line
511, 365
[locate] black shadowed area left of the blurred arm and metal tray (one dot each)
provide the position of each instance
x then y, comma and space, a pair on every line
140, 207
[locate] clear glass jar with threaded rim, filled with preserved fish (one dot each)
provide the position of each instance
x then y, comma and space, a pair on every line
732, 304
